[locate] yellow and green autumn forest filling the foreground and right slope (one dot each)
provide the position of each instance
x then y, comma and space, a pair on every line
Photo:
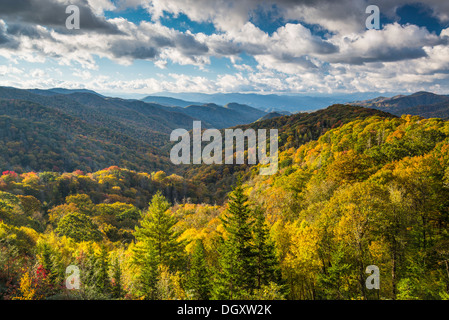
370, 191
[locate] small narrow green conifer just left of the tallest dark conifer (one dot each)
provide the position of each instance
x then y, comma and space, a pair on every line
198, 280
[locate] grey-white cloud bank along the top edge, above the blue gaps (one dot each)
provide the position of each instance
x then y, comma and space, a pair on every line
337, 16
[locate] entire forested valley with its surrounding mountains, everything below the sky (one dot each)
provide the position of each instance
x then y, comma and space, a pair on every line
87, 182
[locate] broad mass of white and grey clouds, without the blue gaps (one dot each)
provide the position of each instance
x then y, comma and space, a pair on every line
291, 58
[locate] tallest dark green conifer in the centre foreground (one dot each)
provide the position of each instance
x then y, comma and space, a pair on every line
236, 274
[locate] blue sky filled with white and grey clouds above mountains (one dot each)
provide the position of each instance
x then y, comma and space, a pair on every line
139, 47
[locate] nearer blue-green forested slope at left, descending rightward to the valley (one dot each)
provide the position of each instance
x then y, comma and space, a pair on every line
39, 138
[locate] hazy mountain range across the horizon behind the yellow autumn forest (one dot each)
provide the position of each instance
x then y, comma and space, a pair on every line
65, 130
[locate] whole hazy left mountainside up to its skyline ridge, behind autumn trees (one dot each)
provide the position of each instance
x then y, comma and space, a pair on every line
63, 130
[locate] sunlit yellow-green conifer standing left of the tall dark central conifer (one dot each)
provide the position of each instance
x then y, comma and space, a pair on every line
157, 231
